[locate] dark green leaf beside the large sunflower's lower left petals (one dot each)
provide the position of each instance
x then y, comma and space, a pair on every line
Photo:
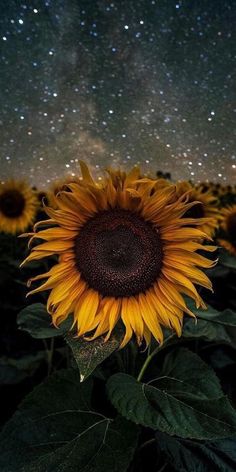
38, 323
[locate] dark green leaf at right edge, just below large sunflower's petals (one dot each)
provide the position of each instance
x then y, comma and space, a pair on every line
211, 325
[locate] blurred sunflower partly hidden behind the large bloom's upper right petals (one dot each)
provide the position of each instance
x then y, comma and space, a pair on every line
204, 209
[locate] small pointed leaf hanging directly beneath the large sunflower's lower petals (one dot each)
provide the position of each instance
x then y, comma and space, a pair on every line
89, 354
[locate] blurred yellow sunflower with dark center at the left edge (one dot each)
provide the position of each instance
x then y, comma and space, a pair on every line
18, 206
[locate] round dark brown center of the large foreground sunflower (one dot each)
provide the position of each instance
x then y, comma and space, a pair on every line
118, 253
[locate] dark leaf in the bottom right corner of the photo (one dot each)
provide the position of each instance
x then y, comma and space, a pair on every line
185, 455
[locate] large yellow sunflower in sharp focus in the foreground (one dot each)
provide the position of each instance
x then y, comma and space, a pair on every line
125, 252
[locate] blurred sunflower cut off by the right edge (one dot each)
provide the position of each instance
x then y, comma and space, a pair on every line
229, 227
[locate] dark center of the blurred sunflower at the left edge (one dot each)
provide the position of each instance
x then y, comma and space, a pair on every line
12, 203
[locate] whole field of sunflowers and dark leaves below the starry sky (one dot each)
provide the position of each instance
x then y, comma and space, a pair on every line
118, 324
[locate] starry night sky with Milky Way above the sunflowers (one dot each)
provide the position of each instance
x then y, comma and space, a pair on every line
118, 83
